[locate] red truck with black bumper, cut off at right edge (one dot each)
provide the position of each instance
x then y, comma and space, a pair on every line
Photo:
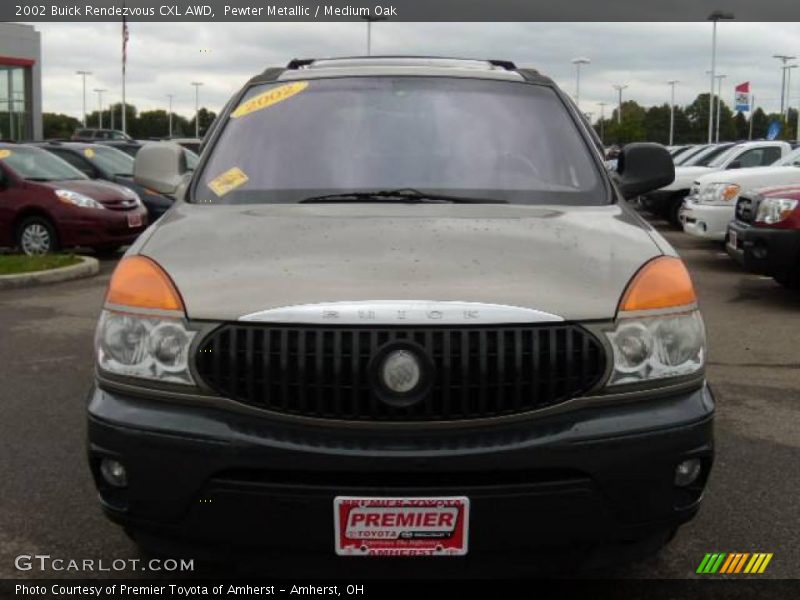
764, 237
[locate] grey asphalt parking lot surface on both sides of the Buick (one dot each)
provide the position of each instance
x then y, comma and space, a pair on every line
753, 500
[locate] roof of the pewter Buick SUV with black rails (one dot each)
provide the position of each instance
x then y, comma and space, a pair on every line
430, 66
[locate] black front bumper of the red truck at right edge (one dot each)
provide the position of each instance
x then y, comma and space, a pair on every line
764, 250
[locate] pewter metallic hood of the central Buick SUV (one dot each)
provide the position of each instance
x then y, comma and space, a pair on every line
230, 261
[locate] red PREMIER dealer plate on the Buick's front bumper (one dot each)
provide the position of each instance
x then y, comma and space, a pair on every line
401, 526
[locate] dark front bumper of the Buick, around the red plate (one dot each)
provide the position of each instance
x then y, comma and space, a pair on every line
200, 474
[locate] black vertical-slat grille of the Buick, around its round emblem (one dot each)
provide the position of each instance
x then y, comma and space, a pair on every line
326, 372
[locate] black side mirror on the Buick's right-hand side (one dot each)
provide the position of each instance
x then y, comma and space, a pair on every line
643, 167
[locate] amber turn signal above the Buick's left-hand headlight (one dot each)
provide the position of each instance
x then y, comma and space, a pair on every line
138, 281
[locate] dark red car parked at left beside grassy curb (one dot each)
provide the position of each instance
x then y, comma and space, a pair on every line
47, 204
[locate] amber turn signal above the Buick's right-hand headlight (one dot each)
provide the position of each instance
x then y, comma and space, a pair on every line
663, 282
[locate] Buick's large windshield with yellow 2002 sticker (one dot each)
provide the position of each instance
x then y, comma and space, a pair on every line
461, 137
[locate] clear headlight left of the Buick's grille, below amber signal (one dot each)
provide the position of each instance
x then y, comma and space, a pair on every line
147, 347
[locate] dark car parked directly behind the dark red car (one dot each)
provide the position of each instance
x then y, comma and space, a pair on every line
98, 161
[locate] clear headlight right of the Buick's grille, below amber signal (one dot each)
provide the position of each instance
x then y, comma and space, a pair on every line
656, 347
